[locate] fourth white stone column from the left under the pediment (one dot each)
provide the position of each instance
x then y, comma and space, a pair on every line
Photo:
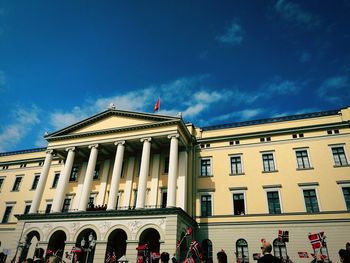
117, 170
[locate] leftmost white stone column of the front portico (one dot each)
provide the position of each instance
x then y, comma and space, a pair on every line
42, 182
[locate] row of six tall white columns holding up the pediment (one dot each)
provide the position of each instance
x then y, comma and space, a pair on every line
116, 175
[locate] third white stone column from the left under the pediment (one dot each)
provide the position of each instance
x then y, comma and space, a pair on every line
83, 202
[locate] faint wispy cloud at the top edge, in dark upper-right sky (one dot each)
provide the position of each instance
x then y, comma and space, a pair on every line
294, 13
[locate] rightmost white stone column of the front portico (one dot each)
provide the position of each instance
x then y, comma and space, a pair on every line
173, 163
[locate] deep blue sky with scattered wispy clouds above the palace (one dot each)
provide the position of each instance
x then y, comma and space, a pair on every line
214, 61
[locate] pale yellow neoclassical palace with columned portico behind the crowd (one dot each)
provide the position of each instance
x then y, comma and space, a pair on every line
120, 179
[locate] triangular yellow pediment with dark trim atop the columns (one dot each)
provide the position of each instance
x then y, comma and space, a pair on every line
112, 119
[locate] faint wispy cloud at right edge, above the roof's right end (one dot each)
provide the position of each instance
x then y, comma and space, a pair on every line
335, 89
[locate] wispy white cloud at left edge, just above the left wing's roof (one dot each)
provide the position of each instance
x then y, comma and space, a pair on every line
13, 133
